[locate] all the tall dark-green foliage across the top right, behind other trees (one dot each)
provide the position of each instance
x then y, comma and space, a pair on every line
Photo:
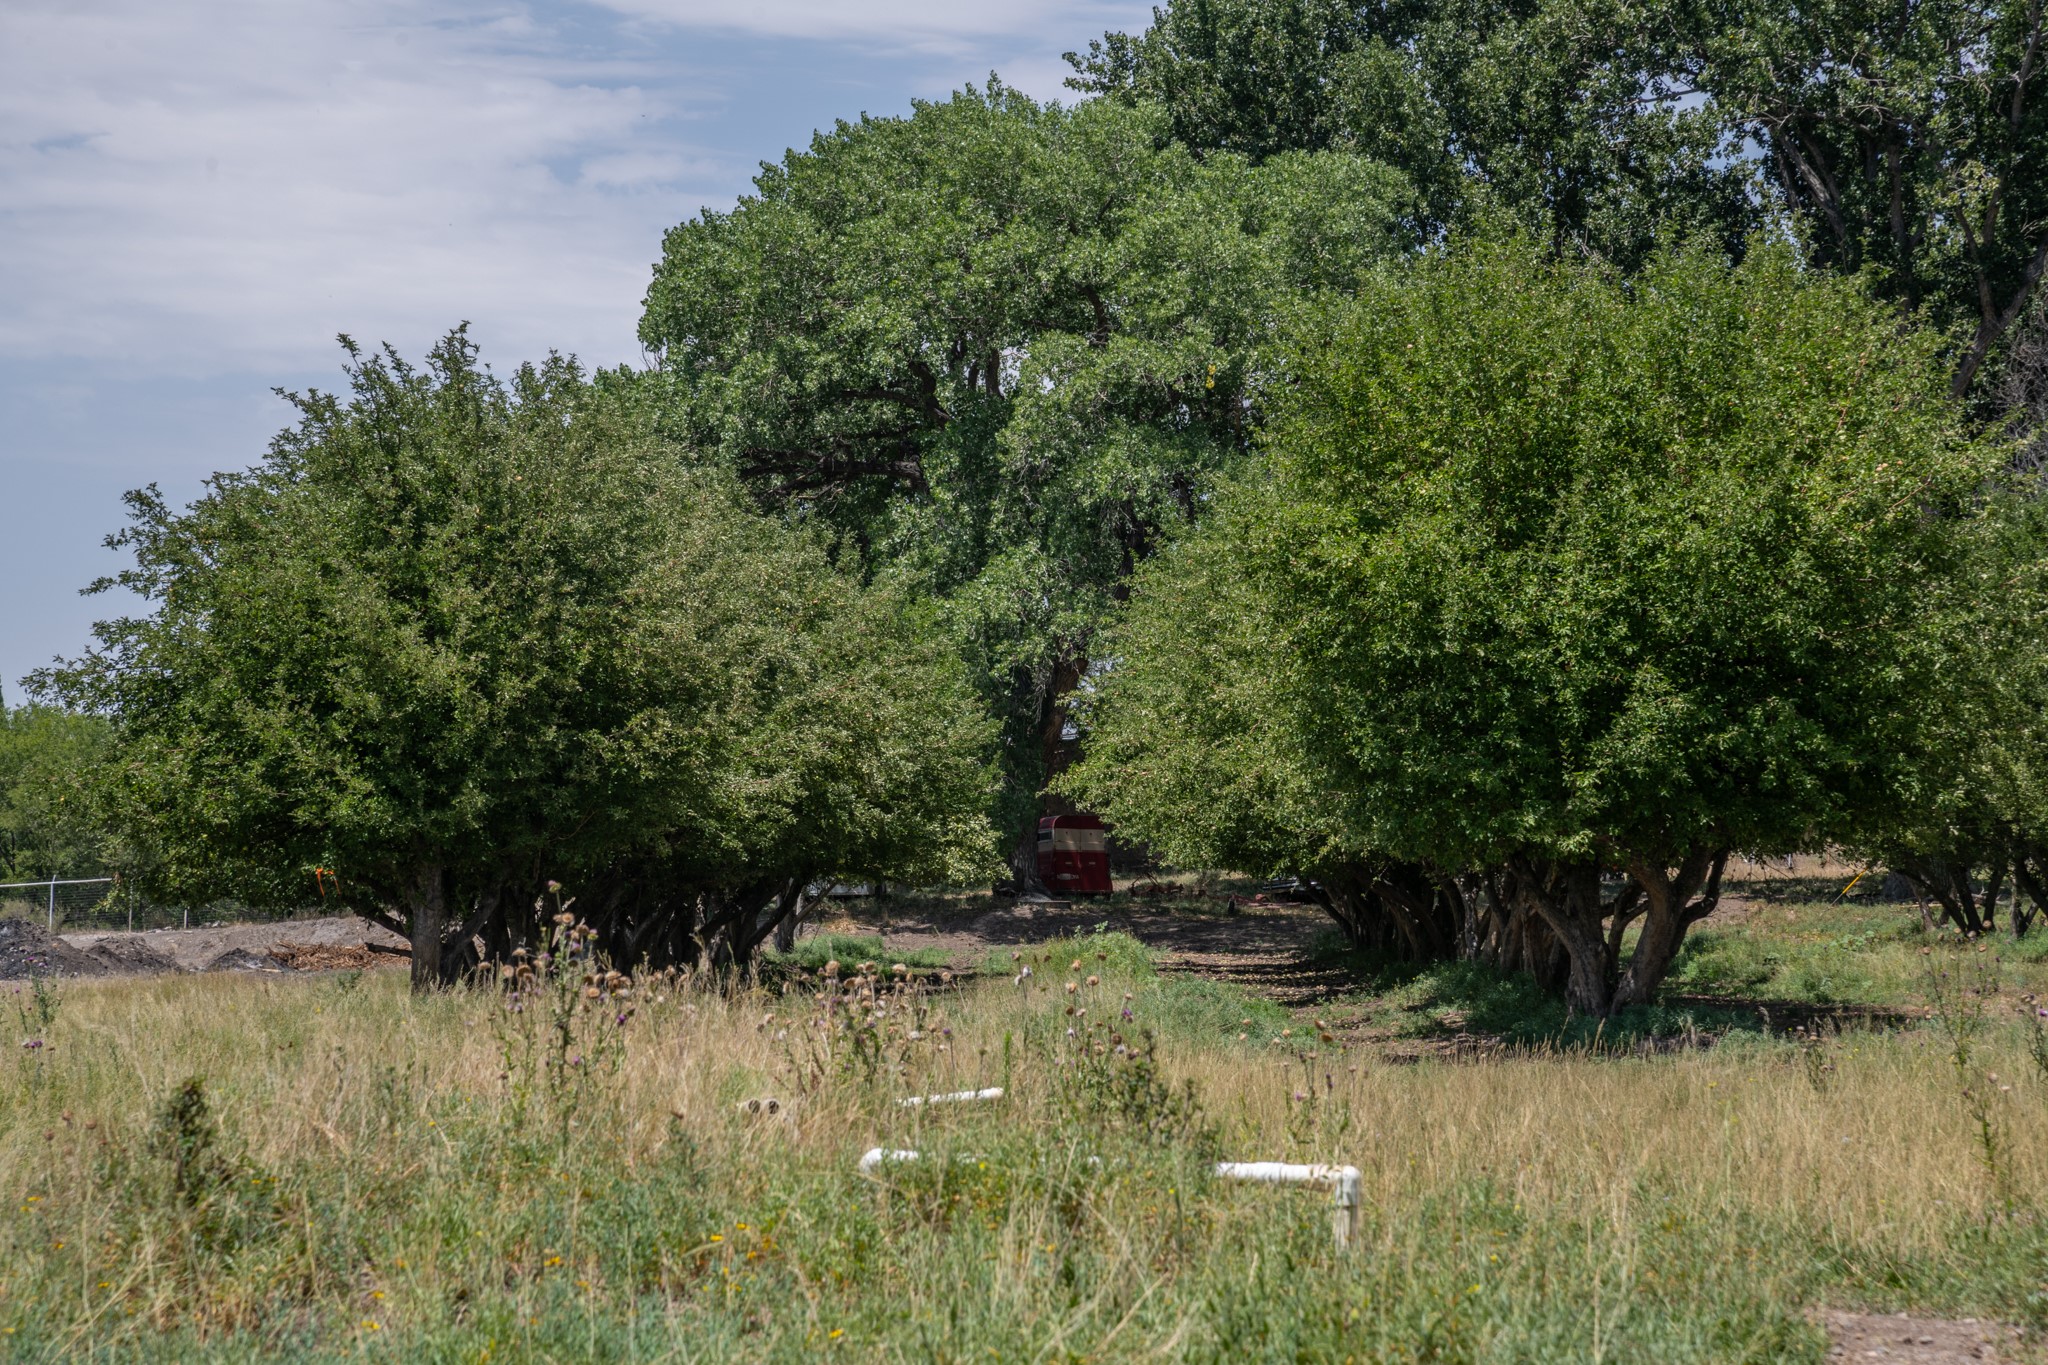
1906, 140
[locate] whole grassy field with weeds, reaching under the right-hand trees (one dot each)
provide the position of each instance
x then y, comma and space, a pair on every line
241, 1168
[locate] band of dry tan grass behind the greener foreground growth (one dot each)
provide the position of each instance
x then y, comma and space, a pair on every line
1885, 1147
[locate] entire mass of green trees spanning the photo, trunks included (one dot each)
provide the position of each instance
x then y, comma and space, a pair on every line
1492, 459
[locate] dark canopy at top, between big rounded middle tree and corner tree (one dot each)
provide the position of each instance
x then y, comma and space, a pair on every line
1560, 118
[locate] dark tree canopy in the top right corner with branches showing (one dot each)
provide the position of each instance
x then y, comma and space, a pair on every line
1912, 140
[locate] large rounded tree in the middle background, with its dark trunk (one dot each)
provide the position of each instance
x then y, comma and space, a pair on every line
996, 349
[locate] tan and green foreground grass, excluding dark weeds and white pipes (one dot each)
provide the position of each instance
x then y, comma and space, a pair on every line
345, 1090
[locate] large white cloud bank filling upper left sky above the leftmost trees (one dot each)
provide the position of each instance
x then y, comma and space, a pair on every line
228, 185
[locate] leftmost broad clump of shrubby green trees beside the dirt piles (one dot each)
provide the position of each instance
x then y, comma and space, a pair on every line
464, 635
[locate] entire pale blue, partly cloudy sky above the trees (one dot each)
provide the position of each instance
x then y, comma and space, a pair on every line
198, 195
